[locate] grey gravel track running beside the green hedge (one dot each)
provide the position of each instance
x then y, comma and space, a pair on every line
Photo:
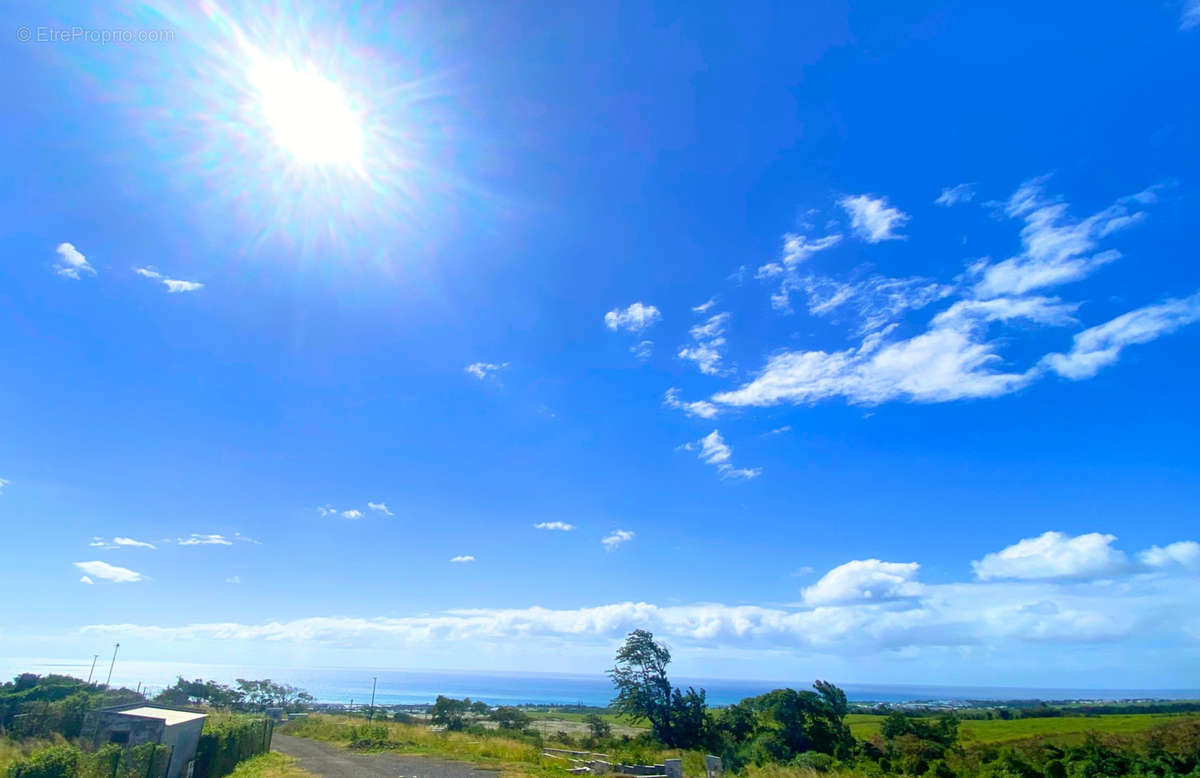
333, 762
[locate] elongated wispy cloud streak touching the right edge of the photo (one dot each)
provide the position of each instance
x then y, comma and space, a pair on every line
1101, 346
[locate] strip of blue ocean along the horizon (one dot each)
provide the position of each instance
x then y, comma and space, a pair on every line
405, 687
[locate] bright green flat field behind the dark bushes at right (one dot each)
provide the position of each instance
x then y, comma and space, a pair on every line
1066, 729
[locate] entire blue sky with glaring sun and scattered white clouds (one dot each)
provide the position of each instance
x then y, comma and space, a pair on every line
824, 342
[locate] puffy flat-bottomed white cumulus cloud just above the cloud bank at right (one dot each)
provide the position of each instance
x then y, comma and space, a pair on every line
1054, 555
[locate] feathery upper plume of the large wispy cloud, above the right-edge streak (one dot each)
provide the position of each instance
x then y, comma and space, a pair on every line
1057, 249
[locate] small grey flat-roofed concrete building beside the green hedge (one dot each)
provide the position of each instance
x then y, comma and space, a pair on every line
141, 723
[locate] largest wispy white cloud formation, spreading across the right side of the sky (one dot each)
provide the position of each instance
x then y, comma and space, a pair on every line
958, 355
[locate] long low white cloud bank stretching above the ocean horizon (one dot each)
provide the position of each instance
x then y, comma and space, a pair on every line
861, 609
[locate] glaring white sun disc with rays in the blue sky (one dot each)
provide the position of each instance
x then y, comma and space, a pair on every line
309, 116
